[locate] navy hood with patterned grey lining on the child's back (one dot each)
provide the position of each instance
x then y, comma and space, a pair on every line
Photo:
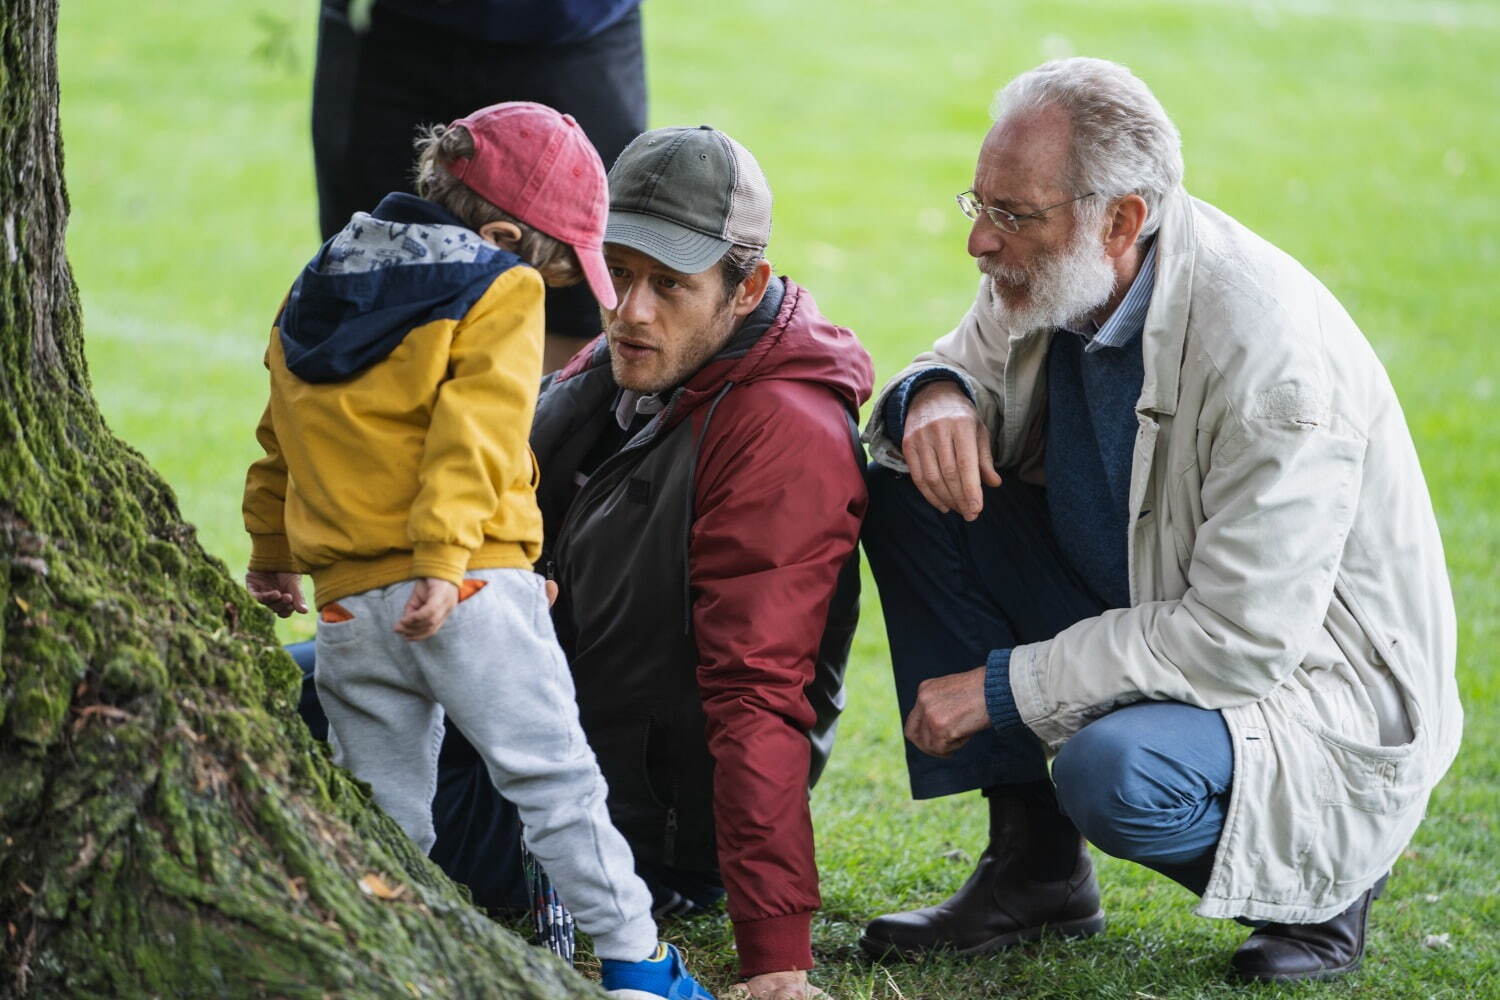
386, 274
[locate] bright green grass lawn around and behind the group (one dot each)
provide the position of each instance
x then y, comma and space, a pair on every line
1358, 137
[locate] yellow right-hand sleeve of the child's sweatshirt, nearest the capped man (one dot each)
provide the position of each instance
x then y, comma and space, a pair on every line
478, 440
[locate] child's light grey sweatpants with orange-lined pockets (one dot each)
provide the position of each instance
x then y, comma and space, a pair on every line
497, 671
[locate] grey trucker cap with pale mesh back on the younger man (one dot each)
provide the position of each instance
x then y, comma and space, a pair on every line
685, 196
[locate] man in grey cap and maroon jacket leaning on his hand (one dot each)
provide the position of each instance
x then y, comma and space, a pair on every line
703, 493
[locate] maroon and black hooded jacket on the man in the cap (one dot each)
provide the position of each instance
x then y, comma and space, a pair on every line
709, 596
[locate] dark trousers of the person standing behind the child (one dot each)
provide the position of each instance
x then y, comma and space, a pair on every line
373, 91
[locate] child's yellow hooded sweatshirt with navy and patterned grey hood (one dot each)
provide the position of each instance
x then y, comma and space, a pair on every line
401, 401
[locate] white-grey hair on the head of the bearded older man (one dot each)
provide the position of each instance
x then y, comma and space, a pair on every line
1123, 140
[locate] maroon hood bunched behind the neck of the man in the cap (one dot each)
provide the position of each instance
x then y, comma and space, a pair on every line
785, 338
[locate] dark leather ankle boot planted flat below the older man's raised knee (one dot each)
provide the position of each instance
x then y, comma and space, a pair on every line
1003, 905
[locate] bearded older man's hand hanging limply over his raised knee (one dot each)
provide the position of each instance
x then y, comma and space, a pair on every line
947, 449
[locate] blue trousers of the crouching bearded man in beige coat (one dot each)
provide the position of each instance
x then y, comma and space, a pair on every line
1148, 783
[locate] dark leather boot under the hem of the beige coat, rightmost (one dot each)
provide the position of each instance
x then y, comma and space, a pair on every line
1286, 953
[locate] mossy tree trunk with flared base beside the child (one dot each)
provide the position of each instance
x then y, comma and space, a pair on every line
167, 825
